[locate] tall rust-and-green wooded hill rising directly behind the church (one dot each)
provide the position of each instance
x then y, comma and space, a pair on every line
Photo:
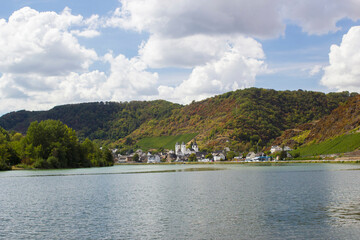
244, 118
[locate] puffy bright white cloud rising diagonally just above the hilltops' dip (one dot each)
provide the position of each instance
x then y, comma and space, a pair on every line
237, 68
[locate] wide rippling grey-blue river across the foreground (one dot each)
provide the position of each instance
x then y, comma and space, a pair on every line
223, 201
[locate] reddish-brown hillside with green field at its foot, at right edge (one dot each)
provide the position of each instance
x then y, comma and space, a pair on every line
334, 133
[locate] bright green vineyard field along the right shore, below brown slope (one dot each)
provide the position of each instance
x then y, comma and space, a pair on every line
342, 144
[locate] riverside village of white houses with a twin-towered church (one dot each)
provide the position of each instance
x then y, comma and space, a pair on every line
183, 154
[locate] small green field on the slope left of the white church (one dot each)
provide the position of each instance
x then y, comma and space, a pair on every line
166, 142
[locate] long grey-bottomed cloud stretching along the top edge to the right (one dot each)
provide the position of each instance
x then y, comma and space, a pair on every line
262, 18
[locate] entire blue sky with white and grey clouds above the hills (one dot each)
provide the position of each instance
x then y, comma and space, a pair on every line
55, 52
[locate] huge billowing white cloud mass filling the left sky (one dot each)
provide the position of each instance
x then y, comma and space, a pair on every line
42, 64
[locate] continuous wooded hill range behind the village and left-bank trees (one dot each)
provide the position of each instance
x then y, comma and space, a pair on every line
242, 119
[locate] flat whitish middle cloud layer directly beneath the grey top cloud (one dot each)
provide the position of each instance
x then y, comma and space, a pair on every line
187, 52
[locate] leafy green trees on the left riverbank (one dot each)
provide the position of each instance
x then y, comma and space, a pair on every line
50, 144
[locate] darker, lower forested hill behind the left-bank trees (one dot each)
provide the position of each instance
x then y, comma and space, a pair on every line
99, 120
